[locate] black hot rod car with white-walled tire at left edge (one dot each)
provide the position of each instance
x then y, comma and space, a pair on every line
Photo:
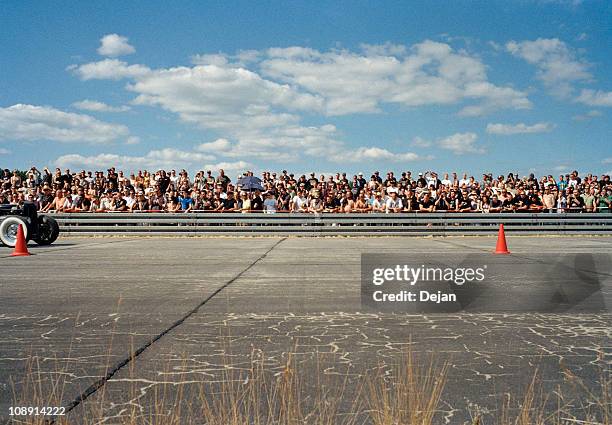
40, 228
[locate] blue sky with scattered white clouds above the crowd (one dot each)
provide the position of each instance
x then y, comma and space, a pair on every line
468, 86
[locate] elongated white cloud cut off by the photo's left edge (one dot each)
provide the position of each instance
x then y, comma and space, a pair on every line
29, 122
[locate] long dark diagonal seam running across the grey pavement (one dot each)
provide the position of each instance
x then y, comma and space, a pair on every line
115, 369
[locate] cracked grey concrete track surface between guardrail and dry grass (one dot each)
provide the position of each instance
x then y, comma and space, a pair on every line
195, 308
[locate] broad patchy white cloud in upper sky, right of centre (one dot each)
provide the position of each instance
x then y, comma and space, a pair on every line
429, 73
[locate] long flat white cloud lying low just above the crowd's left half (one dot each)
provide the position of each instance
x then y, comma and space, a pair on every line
156, 159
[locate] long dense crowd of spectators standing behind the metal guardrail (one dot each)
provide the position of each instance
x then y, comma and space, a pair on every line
88, 191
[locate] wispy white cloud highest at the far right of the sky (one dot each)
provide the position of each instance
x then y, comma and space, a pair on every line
558, 65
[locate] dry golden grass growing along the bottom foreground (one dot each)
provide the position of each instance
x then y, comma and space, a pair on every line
302, 393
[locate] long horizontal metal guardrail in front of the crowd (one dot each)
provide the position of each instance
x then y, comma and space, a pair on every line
255, 224
